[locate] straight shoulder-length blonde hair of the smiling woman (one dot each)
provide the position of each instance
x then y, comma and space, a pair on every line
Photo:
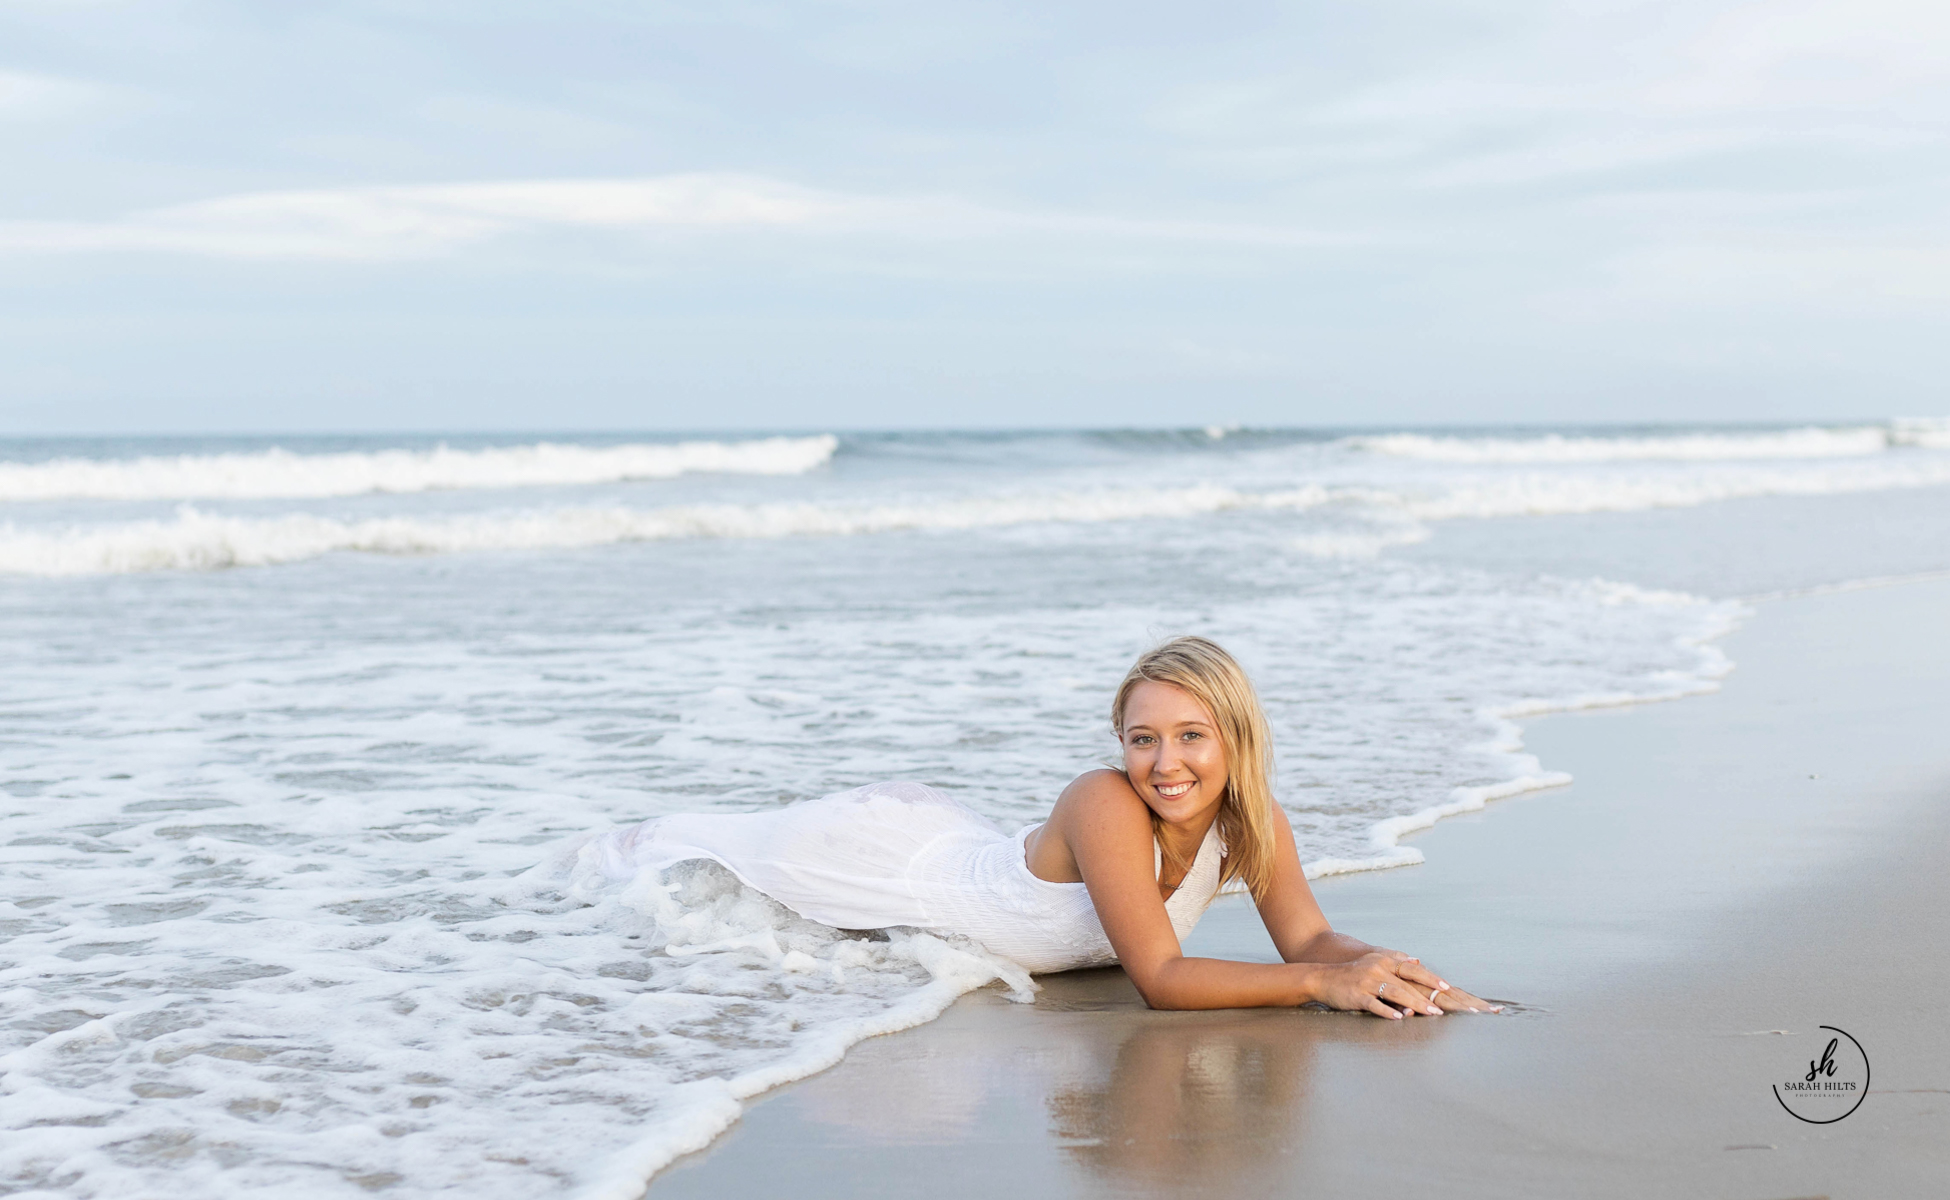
1212, 676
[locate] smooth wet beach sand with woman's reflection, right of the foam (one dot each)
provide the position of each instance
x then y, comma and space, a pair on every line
1772, 858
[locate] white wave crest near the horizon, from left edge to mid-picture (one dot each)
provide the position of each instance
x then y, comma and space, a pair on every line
278, 473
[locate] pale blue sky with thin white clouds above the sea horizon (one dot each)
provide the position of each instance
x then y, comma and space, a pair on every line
849, 216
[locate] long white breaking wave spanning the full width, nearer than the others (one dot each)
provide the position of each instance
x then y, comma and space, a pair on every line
196, 540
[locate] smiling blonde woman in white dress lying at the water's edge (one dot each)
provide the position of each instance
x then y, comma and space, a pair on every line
1122, 869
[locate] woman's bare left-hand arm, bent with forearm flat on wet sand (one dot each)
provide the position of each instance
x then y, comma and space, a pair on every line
1109, 832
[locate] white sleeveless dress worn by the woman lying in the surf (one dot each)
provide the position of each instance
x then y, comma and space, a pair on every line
902, 854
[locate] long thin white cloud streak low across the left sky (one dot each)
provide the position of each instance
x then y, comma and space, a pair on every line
420, 221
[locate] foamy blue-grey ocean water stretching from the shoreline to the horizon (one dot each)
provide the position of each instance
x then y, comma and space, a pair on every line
293, 735
